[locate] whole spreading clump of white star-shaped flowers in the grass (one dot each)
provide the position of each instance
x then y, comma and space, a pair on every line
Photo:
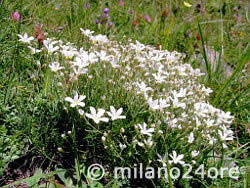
169, 87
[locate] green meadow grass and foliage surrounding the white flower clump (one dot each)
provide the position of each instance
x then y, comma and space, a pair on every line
212, 35
